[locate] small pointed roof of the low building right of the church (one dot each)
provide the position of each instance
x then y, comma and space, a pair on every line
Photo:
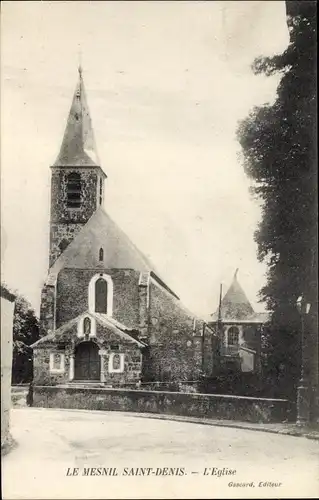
235, 304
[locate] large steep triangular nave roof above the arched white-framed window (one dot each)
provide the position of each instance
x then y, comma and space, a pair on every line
119, 251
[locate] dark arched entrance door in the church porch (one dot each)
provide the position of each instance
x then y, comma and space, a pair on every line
87, 362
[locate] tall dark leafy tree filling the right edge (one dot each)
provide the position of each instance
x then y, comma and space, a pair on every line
279, 152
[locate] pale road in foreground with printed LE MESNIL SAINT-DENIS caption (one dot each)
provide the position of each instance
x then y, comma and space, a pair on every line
75, 454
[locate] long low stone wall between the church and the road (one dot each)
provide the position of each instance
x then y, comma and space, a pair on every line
169, 403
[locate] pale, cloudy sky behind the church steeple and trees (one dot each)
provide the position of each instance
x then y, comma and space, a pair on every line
166, 84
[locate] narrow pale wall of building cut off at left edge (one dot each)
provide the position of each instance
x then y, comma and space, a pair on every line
7, 311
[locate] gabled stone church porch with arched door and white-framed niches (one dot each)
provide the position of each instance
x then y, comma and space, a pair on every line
88, 351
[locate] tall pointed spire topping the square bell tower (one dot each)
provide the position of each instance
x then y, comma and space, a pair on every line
78, 146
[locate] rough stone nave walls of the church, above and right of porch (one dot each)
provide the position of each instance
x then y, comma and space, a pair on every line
180, 347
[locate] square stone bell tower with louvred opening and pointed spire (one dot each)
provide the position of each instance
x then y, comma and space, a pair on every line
77, 180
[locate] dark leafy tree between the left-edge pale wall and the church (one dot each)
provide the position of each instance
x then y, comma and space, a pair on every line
25, 333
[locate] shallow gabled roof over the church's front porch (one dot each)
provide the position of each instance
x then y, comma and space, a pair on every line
114, 325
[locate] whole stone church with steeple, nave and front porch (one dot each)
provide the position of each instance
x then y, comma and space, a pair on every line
107, 317
